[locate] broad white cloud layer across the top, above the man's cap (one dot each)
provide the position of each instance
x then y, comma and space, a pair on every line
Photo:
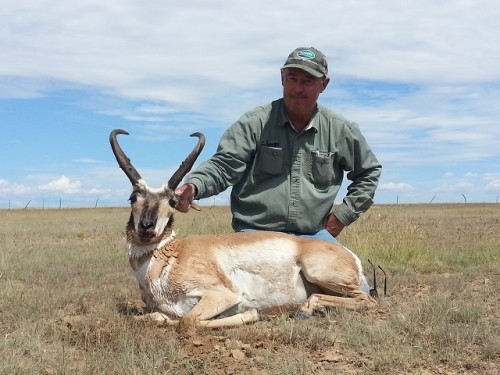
144, 50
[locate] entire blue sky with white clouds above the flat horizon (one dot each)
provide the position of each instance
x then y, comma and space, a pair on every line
421, 79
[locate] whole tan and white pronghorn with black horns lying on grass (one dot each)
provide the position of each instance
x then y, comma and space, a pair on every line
227, 279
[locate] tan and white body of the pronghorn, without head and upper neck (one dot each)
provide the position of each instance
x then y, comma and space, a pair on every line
204, 268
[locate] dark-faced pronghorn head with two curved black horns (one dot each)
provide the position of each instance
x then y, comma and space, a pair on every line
152, 212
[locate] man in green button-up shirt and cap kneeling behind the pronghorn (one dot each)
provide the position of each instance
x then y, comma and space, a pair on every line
286, 161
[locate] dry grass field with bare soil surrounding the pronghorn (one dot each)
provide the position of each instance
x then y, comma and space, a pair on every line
64, 278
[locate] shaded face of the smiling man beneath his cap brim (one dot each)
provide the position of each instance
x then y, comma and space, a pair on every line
301, 90
